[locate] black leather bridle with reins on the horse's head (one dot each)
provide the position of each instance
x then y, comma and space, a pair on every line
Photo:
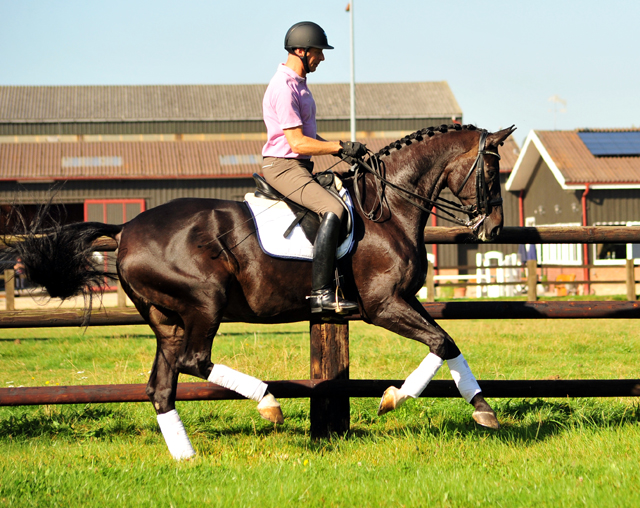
477, 212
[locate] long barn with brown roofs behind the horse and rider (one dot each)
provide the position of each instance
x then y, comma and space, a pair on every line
106, 153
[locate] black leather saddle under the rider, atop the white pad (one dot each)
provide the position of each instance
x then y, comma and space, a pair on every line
309, 221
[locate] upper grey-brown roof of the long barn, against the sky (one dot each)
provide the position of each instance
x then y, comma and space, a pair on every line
216, 102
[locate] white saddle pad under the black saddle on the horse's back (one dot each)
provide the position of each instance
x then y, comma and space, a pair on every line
272, 219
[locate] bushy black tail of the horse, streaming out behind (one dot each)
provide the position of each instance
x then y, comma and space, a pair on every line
60, 257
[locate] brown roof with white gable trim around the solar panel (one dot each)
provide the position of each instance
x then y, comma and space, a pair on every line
572, 164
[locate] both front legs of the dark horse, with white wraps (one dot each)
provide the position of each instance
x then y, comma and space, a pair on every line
409, 319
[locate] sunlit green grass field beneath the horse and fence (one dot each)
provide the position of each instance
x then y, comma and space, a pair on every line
551, 452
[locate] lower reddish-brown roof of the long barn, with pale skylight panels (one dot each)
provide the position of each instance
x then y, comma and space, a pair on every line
140, 160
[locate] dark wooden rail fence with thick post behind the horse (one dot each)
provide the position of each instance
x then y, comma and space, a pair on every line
330, 388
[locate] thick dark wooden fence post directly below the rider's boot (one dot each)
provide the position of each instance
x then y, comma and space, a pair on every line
329, 360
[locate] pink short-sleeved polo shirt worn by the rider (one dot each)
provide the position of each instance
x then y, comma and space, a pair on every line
287, 103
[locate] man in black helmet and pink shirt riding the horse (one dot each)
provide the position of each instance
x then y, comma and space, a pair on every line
289, 112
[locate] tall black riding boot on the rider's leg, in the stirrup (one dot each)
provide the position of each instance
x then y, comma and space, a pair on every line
323, 296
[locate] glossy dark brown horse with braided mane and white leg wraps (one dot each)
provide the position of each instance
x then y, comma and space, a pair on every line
189, 264
